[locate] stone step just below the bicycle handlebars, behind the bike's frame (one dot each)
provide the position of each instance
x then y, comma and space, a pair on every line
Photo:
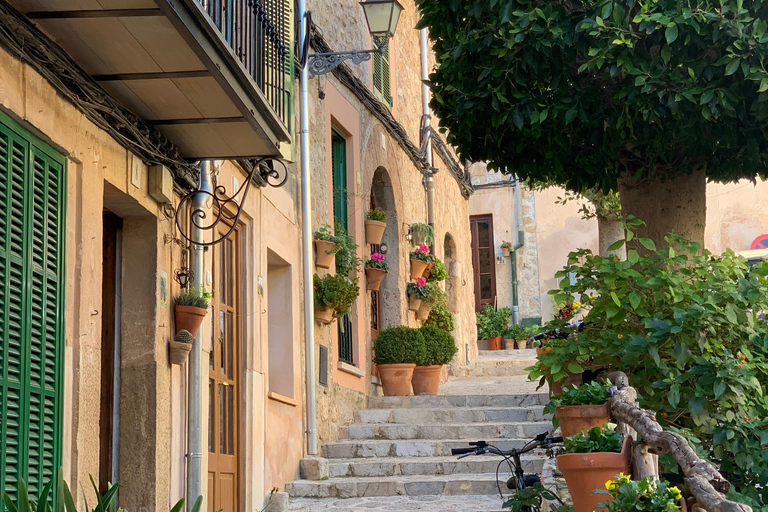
411, 466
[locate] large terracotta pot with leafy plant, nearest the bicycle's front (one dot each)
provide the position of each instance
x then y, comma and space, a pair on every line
591, 459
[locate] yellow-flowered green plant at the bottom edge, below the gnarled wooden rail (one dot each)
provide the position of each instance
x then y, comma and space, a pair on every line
647, 495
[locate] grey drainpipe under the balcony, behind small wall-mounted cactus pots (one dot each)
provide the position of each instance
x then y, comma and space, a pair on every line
195, 398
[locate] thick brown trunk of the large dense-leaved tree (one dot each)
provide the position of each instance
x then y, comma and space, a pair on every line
678, 204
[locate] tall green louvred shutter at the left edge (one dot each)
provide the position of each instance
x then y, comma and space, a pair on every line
32, 197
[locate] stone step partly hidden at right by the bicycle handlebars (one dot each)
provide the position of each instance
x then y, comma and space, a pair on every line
366, 448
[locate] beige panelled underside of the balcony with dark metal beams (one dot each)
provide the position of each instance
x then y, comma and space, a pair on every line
168, 64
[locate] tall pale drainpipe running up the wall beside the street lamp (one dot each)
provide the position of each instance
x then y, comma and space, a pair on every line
306, 227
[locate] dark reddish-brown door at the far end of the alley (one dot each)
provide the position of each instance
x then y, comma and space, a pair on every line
483, 261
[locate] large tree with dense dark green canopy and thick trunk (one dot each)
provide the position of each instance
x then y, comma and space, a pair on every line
648, 97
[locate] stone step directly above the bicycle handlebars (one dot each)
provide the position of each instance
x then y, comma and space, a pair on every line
466, 431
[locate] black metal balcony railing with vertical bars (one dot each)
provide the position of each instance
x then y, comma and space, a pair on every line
259, 33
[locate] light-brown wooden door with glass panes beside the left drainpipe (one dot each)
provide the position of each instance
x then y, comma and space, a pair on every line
224, 382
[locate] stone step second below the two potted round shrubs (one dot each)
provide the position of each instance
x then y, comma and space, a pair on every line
450, 415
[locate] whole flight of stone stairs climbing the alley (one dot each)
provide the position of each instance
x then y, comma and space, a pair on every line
397, 454
